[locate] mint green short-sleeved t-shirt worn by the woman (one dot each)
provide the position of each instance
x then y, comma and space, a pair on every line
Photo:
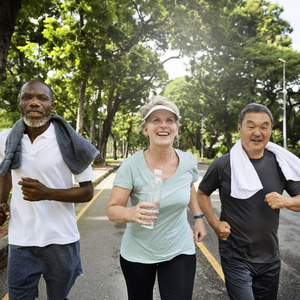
172, 235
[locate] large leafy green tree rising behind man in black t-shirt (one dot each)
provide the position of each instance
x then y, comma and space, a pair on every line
240, 65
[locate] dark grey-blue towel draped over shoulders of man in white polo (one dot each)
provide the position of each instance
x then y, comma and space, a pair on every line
77, 152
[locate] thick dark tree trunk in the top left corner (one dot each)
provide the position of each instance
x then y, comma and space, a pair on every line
8, 14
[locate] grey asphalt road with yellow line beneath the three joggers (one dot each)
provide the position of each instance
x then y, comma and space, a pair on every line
100, 244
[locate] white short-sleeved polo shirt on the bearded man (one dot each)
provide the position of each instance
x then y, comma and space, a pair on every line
42, 223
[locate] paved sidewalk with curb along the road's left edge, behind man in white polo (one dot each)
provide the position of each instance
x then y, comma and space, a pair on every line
100, 173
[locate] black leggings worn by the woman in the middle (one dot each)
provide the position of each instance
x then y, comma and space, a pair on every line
175, 278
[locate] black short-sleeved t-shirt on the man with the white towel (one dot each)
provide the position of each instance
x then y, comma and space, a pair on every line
254, 224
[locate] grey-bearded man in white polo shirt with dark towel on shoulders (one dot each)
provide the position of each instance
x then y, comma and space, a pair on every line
40, 156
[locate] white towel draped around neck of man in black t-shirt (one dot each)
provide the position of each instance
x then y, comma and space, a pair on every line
244, 179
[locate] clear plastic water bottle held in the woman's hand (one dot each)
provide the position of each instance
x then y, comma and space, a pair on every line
154, 194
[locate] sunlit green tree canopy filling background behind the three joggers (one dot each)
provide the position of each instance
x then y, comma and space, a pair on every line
104, 58
